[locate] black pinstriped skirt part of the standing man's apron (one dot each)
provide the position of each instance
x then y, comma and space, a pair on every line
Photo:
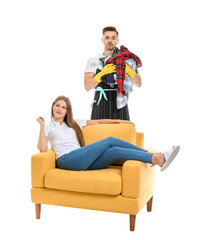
107, 109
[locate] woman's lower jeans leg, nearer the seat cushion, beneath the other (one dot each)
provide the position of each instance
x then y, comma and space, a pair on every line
118, 153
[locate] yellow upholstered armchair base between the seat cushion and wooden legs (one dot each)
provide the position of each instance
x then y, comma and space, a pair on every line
100, 202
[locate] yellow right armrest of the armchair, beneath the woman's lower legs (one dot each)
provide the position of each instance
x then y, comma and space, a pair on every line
136, 177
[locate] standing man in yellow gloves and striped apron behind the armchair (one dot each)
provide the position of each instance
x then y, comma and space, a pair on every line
105, 99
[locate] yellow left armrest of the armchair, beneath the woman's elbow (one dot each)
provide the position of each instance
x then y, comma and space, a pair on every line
40, 164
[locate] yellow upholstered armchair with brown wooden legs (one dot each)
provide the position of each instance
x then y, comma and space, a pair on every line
123, 187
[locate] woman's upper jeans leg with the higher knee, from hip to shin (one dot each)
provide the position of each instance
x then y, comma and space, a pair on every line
82, 158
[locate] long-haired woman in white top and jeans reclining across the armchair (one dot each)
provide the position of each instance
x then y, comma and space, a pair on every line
66, 139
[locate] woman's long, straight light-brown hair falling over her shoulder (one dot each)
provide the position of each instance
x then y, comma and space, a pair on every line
69, 119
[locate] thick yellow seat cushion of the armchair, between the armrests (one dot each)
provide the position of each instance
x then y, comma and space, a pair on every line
103, 181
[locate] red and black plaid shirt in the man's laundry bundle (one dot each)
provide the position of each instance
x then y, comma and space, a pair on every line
119, 60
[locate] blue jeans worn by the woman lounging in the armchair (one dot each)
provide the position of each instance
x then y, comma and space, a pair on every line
100, 154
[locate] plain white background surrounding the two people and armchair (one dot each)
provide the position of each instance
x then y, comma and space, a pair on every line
44, 47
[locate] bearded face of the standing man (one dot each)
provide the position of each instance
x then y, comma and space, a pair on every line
110, 40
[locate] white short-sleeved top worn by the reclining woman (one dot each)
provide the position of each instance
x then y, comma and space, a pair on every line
62, 138
